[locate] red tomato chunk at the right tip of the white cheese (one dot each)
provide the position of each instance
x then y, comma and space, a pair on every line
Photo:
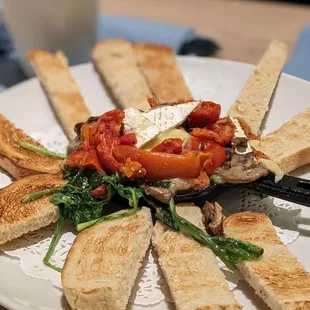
207, 112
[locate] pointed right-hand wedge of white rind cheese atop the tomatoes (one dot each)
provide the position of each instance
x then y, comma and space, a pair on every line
170, 116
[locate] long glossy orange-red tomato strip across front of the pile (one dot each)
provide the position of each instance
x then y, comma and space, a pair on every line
161, 166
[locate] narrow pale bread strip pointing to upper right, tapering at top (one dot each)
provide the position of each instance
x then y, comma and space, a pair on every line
253, 101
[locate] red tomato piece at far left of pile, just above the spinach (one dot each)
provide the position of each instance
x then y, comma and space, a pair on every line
84, 159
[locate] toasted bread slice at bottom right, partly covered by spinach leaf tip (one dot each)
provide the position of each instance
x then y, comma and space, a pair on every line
277, 276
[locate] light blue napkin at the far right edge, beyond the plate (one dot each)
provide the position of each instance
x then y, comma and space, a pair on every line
299, 63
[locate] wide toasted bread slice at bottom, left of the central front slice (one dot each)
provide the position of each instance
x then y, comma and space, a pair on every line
103, 262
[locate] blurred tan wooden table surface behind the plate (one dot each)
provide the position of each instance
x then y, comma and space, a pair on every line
242, 28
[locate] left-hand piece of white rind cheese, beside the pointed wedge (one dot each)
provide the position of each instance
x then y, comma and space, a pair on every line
135, 122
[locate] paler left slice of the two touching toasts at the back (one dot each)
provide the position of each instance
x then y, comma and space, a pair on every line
117, 66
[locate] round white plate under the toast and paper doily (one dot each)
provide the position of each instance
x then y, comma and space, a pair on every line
209, 79
